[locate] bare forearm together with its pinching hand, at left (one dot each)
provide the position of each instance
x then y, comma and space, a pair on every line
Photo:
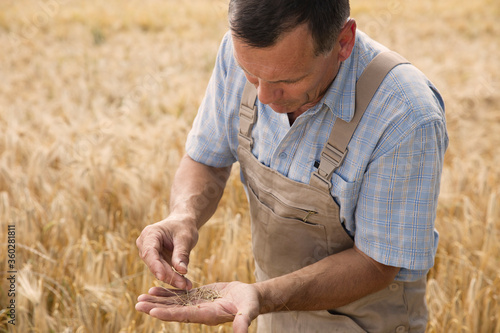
196, 191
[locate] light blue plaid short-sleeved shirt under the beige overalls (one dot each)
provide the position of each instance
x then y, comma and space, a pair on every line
388, 185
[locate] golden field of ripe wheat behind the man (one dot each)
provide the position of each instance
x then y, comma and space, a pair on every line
96, 100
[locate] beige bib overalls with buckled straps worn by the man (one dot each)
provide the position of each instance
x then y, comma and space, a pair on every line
296, 224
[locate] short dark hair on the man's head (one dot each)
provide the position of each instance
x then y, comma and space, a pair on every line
260, 23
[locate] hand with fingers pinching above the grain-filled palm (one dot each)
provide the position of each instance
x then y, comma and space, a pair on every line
167, 244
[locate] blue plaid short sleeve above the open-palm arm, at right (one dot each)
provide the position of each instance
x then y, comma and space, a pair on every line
398, 200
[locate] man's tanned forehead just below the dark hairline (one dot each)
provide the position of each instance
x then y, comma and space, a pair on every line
291, 56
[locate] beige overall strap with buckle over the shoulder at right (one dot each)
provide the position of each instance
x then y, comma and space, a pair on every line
335, 149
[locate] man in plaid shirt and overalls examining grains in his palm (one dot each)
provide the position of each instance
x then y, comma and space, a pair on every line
342, 237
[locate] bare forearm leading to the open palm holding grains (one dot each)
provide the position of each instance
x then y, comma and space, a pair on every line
328, 284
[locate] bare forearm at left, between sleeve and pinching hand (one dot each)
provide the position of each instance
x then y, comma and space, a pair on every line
196, 190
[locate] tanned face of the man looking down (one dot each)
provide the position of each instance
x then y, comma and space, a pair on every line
289, 77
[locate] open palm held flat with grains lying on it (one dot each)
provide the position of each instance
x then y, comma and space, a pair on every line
237, 302
